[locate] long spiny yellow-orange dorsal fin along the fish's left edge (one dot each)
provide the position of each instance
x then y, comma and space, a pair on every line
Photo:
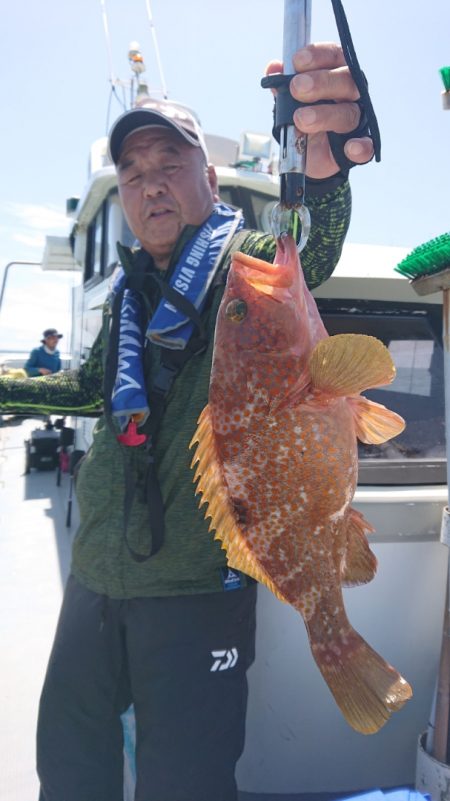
212, 486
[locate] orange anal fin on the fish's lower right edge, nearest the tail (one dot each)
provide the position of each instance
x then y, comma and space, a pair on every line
360, 564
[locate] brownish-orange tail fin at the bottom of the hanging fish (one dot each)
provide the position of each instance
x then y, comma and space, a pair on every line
365, 687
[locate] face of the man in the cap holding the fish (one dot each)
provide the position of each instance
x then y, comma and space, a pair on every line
163, 186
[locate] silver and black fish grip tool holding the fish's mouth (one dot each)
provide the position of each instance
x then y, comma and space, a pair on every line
290, 214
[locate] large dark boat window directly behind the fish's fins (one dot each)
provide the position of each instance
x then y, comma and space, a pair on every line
414, 338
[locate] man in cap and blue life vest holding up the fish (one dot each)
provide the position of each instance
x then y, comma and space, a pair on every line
150, 599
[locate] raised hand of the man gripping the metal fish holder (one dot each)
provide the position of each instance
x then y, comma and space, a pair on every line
324, 75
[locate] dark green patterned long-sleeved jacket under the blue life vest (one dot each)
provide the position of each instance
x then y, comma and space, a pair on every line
189, 560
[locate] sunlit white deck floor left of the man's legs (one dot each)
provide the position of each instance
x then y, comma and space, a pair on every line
34, 562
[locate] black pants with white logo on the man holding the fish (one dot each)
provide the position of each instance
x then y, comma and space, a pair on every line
181, 660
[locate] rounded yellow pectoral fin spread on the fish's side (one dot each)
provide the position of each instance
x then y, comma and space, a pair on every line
346, 364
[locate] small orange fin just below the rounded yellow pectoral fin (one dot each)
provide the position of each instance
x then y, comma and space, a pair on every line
374, 423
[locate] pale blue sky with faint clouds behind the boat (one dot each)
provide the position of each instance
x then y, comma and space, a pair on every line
55, 91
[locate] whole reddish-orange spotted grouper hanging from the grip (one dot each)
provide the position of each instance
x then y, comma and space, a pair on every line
276, 461
